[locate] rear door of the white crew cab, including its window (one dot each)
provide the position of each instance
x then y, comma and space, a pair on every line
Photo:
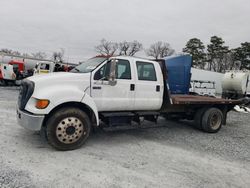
149, 86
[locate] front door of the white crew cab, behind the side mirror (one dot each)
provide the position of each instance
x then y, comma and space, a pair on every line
117, 95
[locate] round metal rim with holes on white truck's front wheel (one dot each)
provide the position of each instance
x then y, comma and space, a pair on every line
70, 130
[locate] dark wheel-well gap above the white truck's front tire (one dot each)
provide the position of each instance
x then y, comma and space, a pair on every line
79, 105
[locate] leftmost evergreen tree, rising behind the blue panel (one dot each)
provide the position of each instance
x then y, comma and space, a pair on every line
196, 48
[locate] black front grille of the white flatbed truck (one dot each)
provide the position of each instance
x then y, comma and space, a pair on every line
26, 90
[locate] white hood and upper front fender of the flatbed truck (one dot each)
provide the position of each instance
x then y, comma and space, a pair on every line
58, 88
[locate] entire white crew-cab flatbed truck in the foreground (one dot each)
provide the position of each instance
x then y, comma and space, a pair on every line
116, 91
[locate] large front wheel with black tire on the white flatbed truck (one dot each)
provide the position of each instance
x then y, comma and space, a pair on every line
68, 129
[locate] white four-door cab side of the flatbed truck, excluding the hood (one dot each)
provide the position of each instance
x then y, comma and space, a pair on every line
132, 85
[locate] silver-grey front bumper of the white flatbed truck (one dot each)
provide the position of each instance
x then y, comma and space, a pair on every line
30, 121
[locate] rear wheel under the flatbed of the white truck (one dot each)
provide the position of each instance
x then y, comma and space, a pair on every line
212, 120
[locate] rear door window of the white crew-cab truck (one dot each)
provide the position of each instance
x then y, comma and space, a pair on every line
146, 71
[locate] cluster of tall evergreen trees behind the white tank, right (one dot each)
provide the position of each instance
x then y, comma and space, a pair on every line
218, 57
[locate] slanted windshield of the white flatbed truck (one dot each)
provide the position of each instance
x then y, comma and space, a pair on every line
89, 65
